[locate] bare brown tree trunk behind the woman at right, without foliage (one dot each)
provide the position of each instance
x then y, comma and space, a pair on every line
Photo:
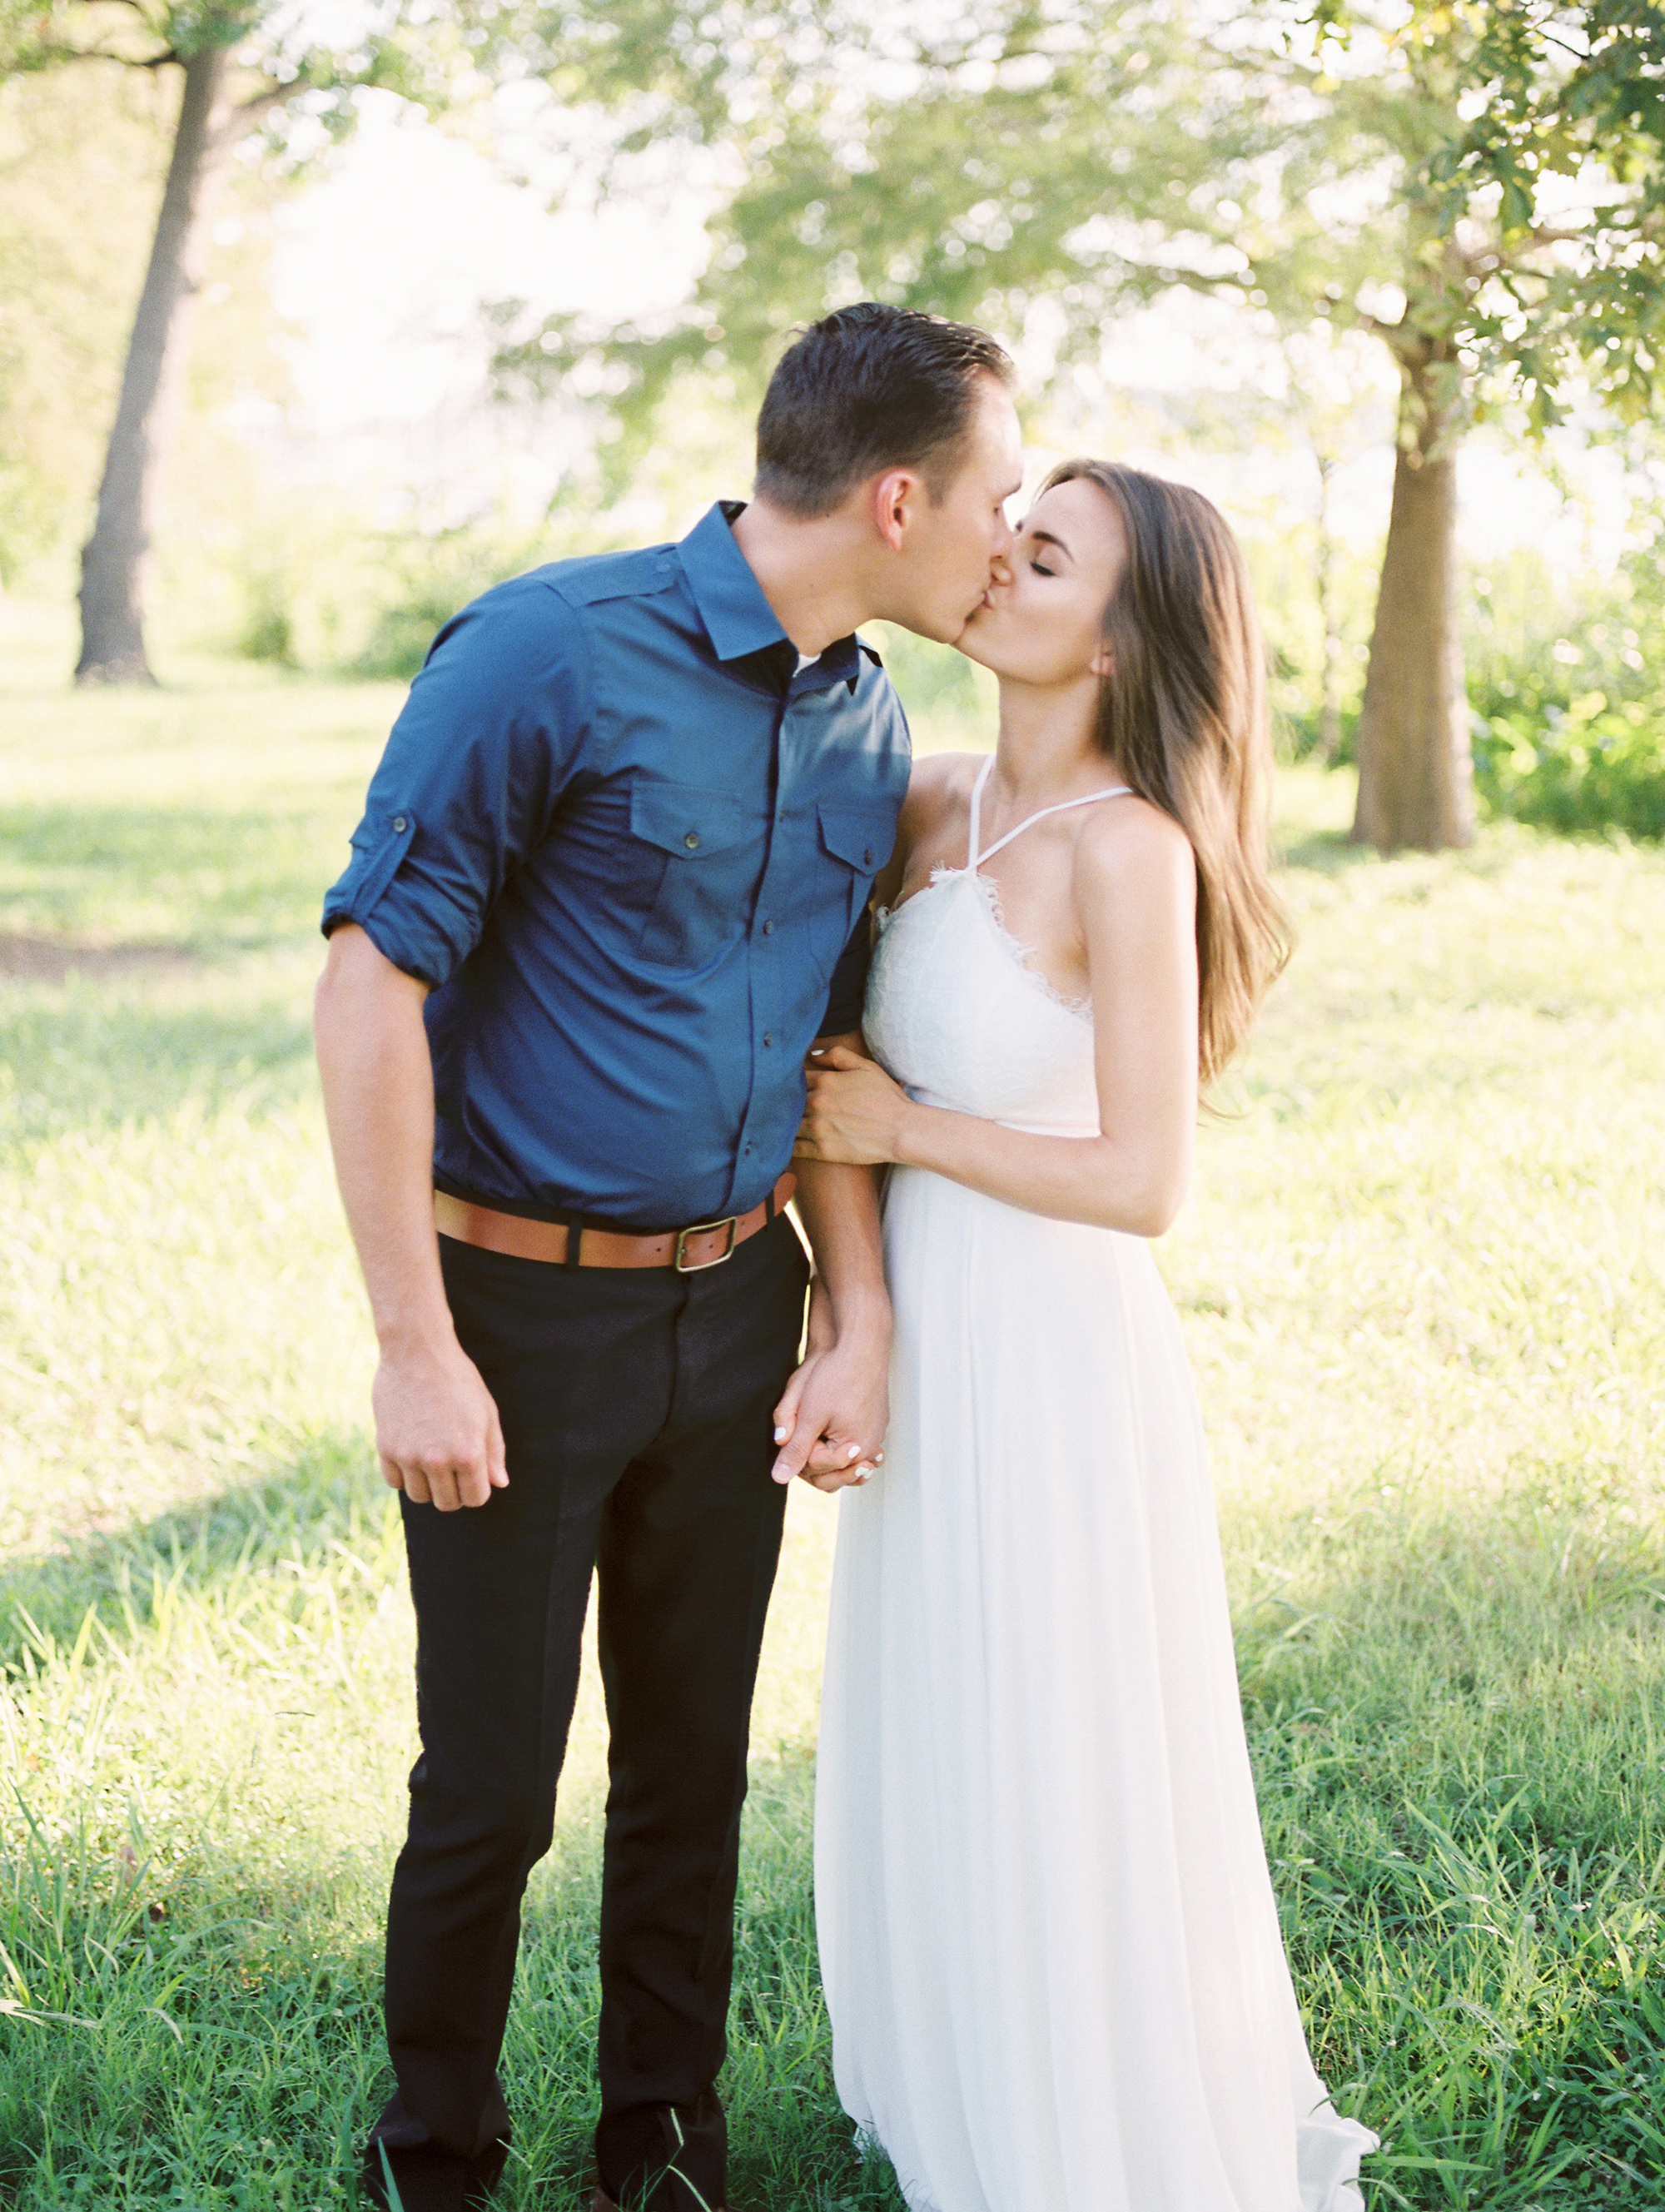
1414, 764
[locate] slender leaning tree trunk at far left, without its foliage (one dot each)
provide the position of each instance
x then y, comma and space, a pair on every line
114, 559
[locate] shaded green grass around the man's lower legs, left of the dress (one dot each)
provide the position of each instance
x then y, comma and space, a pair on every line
231, 2052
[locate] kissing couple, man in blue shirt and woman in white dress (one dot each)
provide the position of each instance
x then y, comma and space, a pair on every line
649, 930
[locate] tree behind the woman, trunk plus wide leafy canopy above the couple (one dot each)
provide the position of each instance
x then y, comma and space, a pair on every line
1058, 160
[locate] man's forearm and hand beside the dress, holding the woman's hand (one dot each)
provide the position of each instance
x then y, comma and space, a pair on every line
835, 1412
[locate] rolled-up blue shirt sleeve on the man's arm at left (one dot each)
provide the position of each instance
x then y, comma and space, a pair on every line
472, 775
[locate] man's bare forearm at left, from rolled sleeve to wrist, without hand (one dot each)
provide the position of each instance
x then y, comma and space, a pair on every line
379, 1105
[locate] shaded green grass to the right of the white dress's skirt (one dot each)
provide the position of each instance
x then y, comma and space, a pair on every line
1456, 1751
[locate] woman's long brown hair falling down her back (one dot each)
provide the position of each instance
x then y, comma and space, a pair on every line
1184, 716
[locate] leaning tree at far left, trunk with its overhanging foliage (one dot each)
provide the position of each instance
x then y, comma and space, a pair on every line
244, 70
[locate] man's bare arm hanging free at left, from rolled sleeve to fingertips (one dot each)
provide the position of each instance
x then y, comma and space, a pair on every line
437, 1426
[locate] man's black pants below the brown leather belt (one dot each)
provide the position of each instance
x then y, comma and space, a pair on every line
638, 1417
